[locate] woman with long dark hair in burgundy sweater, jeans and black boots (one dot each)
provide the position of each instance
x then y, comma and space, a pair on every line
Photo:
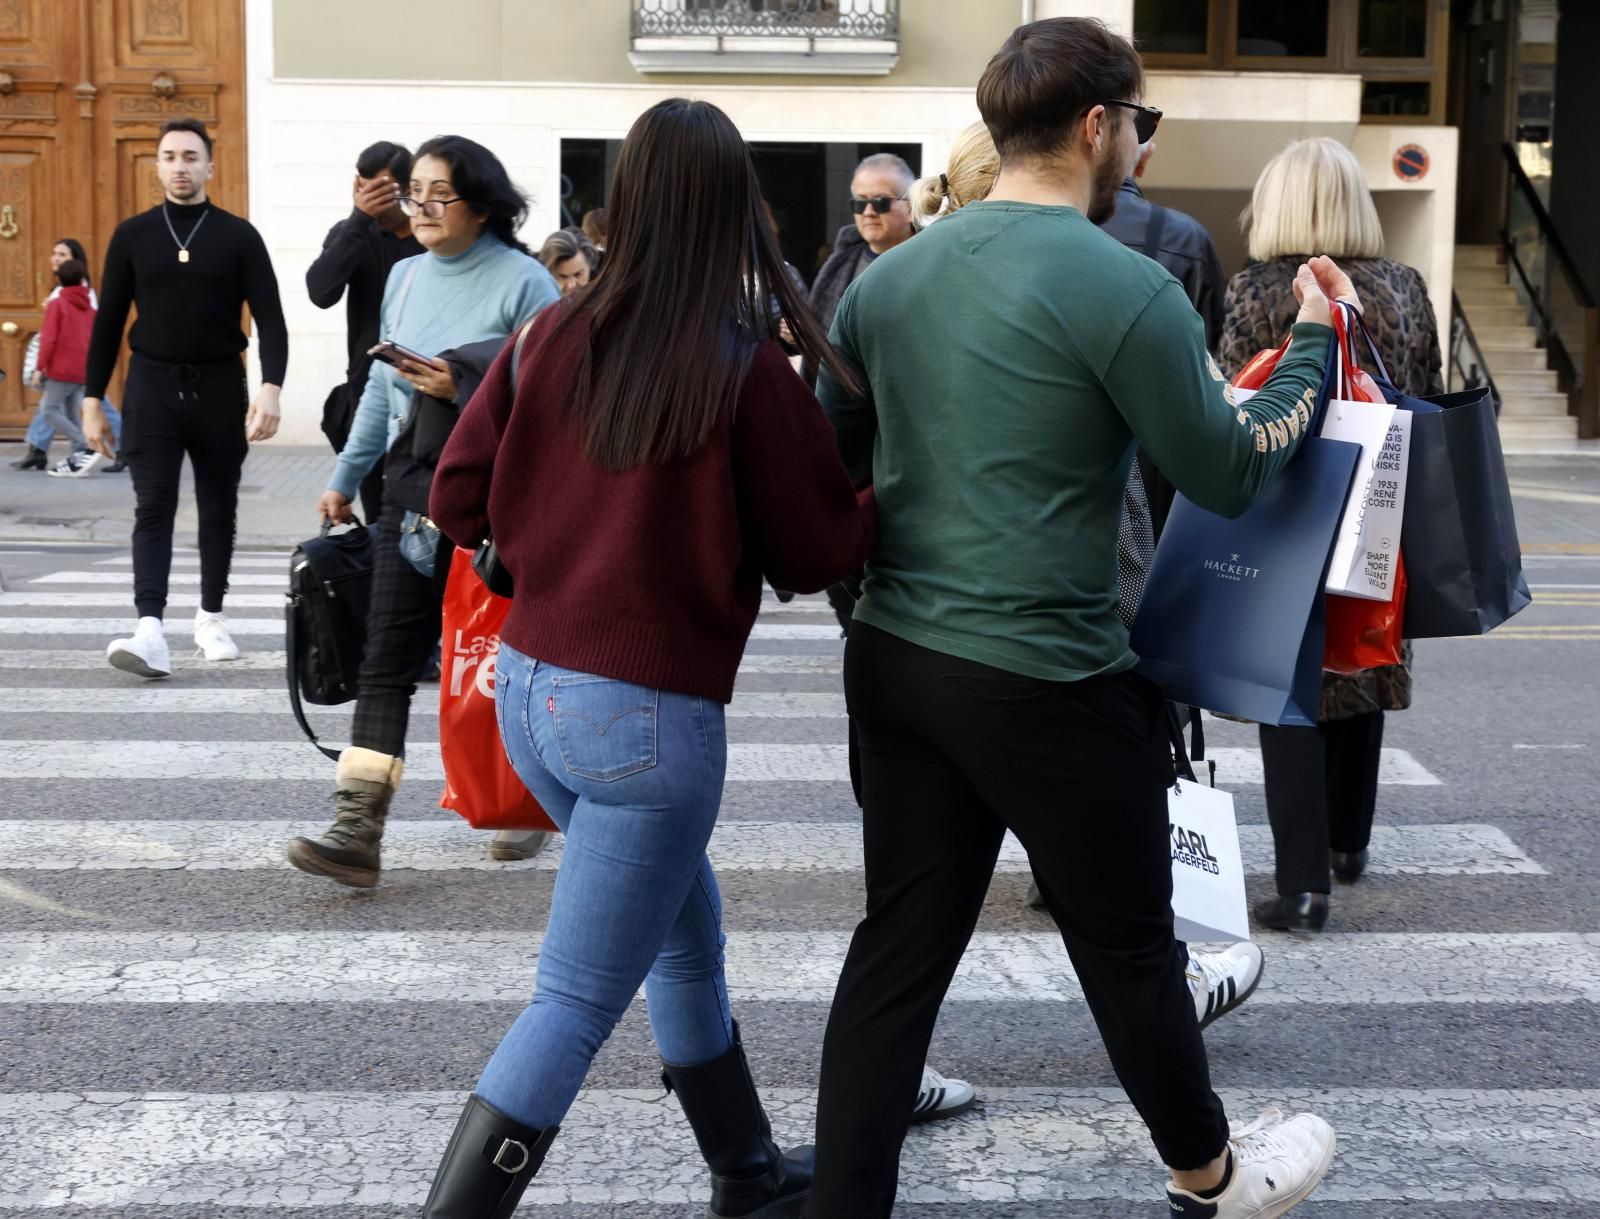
657, 458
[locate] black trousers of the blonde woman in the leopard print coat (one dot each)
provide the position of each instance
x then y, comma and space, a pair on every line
1322, 794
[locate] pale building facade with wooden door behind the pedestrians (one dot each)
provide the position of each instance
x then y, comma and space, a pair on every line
553, 87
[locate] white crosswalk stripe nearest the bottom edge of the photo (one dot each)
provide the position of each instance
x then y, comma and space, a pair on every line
377, 1149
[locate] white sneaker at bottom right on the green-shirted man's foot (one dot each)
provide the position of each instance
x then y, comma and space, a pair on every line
1276, 1169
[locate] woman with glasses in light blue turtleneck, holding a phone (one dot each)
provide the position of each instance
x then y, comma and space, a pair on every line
476, 284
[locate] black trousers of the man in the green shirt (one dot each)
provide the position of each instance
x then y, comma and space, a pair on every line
953, 756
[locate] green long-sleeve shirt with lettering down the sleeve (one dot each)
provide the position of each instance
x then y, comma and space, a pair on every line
1014, 354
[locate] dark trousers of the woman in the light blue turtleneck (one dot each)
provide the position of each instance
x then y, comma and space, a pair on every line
402, 626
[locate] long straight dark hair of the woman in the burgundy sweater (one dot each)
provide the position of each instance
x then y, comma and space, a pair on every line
681, 303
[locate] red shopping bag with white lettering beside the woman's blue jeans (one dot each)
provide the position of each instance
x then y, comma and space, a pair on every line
479, 780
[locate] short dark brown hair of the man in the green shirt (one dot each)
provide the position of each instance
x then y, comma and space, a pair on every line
1050, 74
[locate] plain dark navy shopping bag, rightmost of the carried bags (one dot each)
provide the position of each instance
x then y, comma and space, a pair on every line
1460, 534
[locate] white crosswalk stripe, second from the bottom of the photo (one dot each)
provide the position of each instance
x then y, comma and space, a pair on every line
775, 967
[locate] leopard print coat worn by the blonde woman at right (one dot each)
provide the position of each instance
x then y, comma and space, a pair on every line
1258, 311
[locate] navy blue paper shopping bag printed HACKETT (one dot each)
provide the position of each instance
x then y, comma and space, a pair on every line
1233, 615
